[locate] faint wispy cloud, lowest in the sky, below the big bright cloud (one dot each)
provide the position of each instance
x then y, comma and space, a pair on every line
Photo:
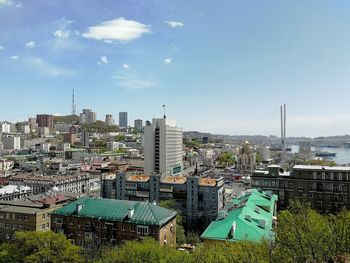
130, 81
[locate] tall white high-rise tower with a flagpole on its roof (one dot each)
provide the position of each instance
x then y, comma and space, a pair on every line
163, 147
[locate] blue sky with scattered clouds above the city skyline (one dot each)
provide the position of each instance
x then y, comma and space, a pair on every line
223, 66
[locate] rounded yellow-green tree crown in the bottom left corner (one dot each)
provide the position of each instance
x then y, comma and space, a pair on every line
38, 247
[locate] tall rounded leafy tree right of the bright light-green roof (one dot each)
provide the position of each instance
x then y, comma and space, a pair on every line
302, 235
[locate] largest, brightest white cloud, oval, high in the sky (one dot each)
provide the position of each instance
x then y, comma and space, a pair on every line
120, 29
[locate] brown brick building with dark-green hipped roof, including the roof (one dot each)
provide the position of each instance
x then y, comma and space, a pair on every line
96, 221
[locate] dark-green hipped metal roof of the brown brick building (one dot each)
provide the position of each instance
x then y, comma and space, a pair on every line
117, 211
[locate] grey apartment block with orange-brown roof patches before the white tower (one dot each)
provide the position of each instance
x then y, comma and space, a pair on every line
197, 199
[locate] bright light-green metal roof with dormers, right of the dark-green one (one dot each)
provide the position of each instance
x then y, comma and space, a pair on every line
254, 208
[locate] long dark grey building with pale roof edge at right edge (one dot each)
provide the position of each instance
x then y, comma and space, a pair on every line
326, 188
